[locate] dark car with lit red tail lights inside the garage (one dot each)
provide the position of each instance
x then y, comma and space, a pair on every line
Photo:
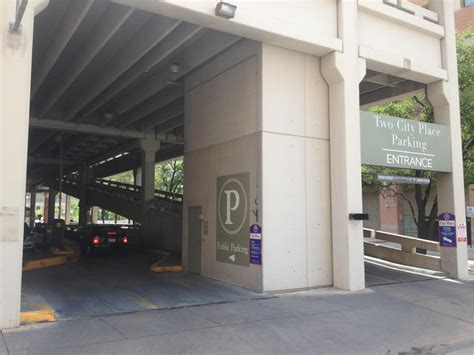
103, 238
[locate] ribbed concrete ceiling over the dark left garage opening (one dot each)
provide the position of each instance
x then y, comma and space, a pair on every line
103, 76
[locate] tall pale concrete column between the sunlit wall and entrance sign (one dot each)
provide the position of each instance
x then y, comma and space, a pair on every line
343, 73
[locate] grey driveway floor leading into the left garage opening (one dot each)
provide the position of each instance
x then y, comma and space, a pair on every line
120, 284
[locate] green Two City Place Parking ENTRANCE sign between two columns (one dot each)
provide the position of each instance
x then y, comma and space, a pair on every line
400, 143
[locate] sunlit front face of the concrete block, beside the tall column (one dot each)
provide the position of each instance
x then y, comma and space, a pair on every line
295, 171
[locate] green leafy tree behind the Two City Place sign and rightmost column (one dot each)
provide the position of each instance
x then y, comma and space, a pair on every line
419, 108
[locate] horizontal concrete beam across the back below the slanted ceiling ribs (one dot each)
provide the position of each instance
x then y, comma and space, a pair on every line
100, 131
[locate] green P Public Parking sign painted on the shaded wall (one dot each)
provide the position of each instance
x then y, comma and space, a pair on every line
232, 239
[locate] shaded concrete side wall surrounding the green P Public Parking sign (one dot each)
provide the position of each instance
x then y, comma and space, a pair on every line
221, 129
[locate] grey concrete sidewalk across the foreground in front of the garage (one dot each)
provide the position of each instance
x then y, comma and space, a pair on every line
430, 316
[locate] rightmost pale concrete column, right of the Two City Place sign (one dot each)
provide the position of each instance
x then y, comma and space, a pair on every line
444, 96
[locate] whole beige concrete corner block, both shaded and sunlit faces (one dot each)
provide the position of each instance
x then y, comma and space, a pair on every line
263, 110
